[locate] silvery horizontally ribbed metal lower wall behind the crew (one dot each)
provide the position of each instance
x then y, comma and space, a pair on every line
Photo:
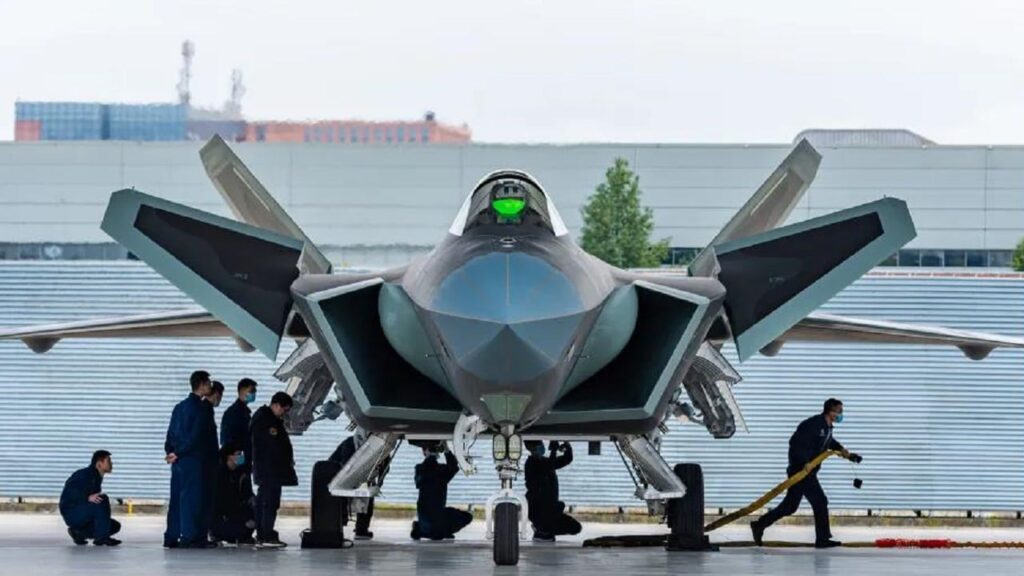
937, 431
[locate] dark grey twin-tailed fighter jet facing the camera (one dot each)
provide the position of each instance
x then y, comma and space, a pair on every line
507, 328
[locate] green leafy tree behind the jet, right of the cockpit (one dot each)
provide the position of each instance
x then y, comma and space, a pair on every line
616, 227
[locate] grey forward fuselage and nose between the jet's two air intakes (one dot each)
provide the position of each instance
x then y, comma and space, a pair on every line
508, 310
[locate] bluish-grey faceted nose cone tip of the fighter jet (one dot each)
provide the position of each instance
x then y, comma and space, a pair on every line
507, 317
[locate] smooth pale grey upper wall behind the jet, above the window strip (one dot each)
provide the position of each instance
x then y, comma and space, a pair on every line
960, 197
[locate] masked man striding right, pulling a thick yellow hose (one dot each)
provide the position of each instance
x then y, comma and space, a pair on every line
813, 437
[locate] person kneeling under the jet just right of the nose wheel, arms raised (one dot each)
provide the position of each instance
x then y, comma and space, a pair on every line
547, 513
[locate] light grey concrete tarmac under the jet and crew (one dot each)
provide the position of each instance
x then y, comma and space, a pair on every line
39, 545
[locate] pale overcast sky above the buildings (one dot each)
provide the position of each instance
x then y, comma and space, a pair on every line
556, 72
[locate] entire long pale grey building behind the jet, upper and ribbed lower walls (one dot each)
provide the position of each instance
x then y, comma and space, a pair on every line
938, 432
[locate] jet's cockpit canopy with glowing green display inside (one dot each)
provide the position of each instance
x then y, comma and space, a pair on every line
508, 198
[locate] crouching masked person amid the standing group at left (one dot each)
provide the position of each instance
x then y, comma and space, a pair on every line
233, 514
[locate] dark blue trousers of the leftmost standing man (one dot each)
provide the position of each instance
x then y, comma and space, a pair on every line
186, 510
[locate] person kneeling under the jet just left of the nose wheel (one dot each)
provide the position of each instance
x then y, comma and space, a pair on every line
435, 519
